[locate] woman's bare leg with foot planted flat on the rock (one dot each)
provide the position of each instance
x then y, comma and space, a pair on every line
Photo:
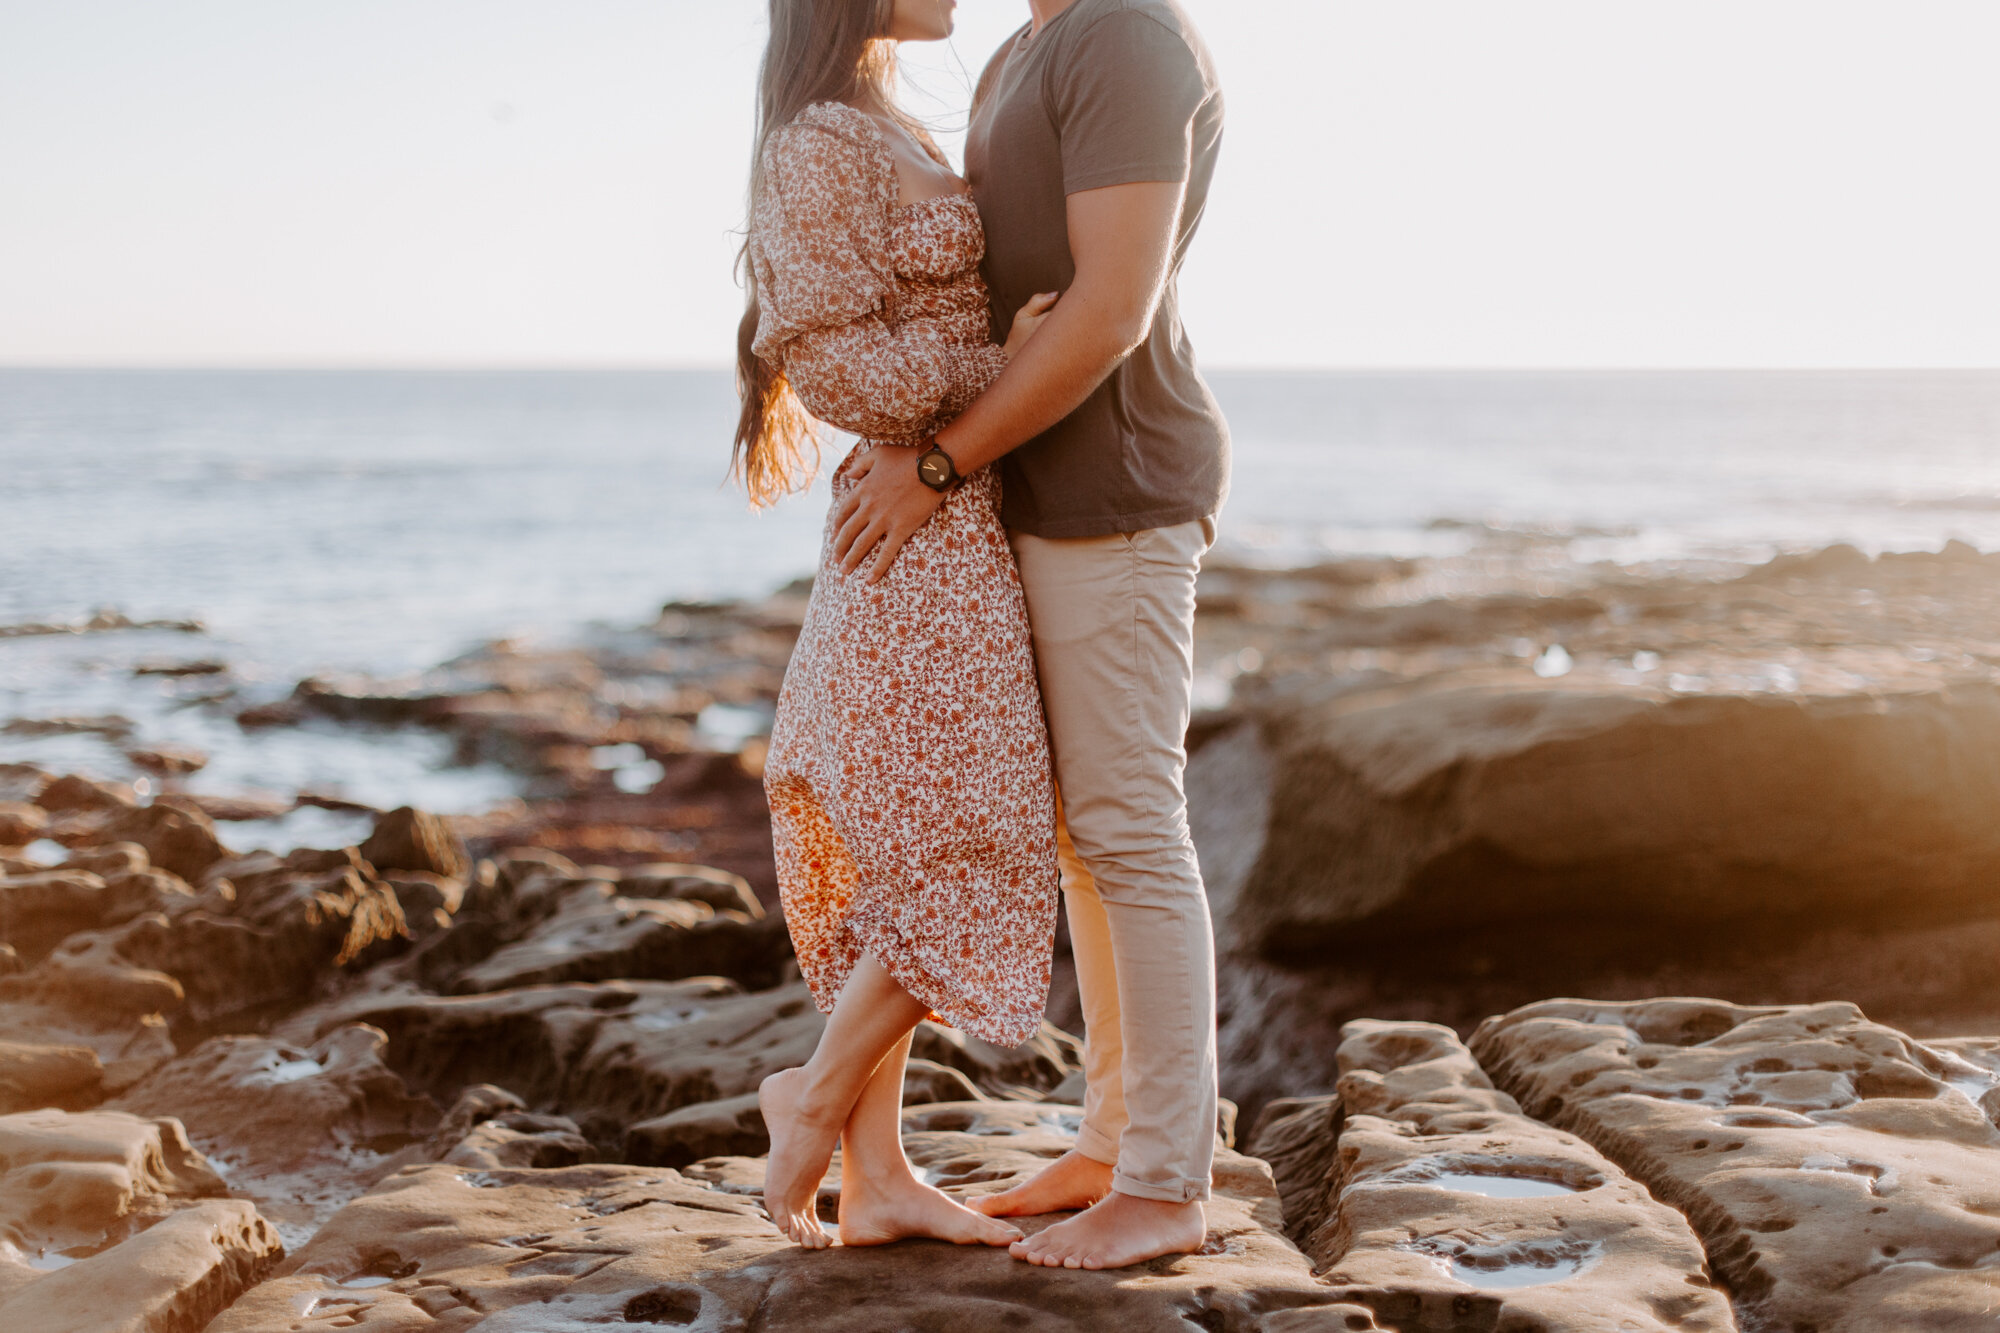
881, 1198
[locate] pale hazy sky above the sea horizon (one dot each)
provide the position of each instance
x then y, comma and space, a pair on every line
1405, 183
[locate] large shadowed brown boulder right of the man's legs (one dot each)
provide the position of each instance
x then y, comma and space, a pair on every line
1483, 798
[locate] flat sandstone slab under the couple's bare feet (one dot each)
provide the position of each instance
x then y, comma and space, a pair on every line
573, 1250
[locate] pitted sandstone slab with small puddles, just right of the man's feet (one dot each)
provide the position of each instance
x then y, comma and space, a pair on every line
1447, 1208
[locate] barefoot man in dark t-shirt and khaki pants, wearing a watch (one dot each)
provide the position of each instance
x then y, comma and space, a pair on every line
1093, 143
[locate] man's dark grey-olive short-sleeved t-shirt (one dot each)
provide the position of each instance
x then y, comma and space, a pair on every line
1107, 93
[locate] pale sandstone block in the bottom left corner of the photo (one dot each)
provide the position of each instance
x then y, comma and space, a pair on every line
173, 1278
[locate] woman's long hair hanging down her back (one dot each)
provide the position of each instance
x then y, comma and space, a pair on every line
819, 51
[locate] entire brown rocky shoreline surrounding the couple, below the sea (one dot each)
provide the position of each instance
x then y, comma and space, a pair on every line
497, 1070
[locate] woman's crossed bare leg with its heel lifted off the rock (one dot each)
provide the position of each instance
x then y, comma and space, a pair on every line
807, 1108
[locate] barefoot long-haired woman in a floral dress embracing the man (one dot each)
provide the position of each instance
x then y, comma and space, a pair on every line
909, 780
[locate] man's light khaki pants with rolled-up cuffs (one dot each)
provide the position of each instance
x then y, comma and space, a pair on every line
1113, 625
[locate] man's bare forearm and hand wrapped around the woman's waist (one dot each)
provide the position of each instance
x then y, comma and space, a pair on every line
1123, 241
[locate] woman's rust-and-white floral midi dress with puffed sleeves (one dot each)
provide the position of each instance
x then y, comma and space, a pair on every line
911, 792
